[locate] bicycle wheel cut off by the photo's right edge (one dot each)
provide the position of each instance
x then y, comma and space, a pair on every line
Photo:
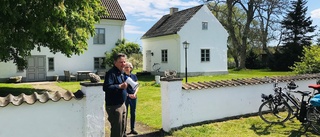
313, 116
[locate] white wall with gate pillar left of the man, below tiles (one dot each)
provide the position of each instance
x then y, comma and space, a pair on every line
74, 118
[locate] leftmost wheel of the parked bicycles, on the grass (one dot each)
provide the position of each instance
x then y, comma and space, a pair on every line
274, 113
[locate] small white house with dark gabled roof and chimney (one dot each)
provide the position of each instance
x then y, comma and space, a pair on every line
207, 38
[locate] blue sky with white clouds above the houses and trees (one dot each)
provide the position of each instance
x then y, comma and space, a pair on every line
143, 14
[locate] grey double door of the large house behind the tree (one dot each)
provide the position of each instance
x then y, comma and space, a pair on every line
36, 70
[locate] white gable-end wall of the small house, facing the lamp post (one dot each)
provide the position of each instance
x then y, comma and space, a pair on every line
215, 39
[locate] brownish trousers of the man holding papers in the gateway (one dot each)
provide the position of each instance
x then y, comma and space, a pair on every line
117, 118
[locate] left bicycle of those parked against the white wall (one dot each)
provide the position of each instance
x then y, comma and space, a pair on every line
275, 109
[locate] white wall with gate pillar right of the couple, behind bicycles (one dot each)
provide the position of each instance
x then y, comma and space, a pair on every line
182, 107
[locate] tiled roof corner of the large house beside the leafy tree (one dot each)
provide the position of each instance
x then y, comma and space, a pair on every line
114, 10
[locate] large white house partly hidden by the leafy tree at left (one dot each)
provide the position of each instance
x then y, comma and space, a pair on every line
44, 65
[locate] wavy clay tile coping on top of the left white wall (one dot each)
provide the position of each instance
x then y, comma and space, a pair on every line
33, 98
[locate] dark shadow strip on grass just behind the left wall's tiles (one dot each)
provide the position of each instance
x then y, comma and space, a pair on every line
4, 91
